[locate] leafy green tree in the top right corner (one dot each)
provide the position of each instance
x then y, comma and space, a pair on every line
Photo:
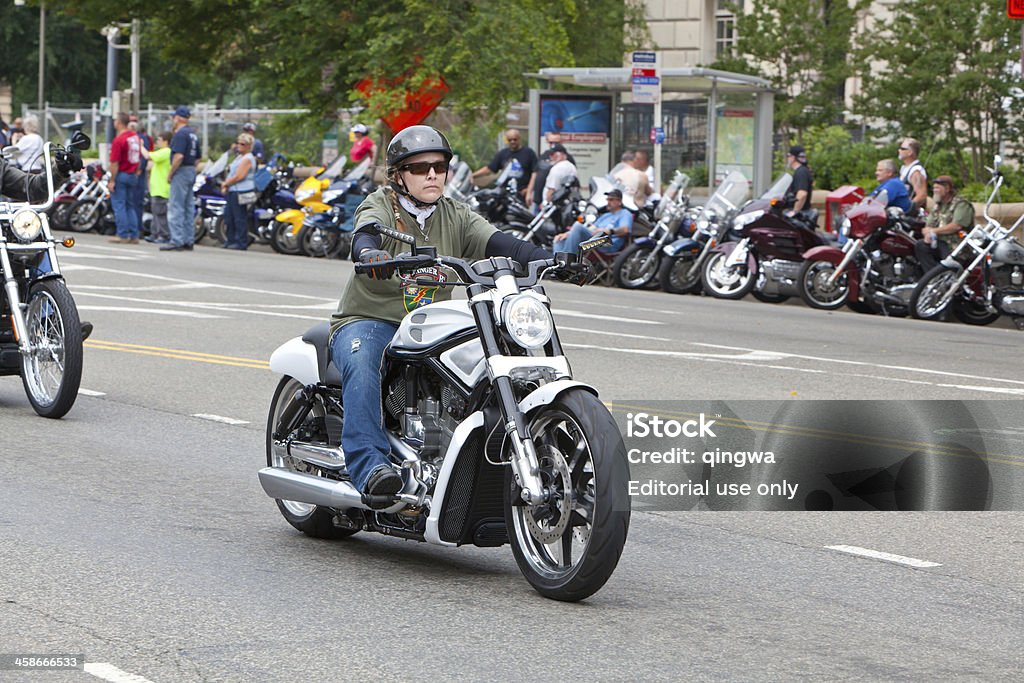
944, 71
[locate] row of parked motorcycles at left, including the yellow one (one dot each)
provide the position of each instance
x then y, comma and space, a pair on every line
312, 217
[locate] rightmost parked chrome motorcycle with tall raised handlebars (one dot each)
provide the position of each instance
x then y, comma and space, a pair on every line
983, 279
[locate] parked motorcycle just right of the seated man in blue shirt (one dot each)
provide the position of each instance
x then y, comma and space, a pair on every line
637, 266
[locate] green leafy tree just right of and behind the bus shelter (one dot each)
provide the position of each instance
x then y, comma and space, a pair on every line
803, 49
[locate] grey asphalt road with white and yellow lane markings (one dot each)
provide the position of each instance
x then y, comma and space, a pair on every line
135, 531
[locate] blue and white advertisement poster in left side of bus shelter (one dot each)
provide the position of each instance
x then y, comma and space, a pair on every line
585, 124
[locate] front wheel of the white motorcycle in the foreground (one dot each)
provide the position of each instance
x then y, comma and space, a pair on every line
575, 436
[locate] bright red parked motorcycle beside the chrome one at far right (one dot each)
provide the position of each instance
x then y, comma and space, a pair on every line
875, 271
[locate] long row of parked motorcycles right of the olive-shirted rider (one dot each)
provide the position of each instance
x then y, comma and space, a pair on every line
732, 246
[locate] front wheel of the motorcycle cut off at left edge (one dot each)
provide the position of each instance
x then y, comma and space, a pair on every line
53, 372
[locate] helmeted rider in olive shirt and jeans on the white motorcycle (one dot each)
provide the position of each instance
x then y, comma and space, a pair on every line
371, 309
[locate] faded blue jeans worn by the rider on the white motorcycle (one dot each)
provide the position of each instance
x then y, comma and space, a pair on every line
358, 352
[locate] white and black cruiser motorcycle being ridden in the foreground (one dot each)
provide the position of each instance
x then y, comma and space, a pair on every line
496, 441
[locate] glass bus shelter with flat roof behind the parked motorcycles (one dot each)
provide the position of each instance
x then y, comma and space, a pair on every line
714, 122
